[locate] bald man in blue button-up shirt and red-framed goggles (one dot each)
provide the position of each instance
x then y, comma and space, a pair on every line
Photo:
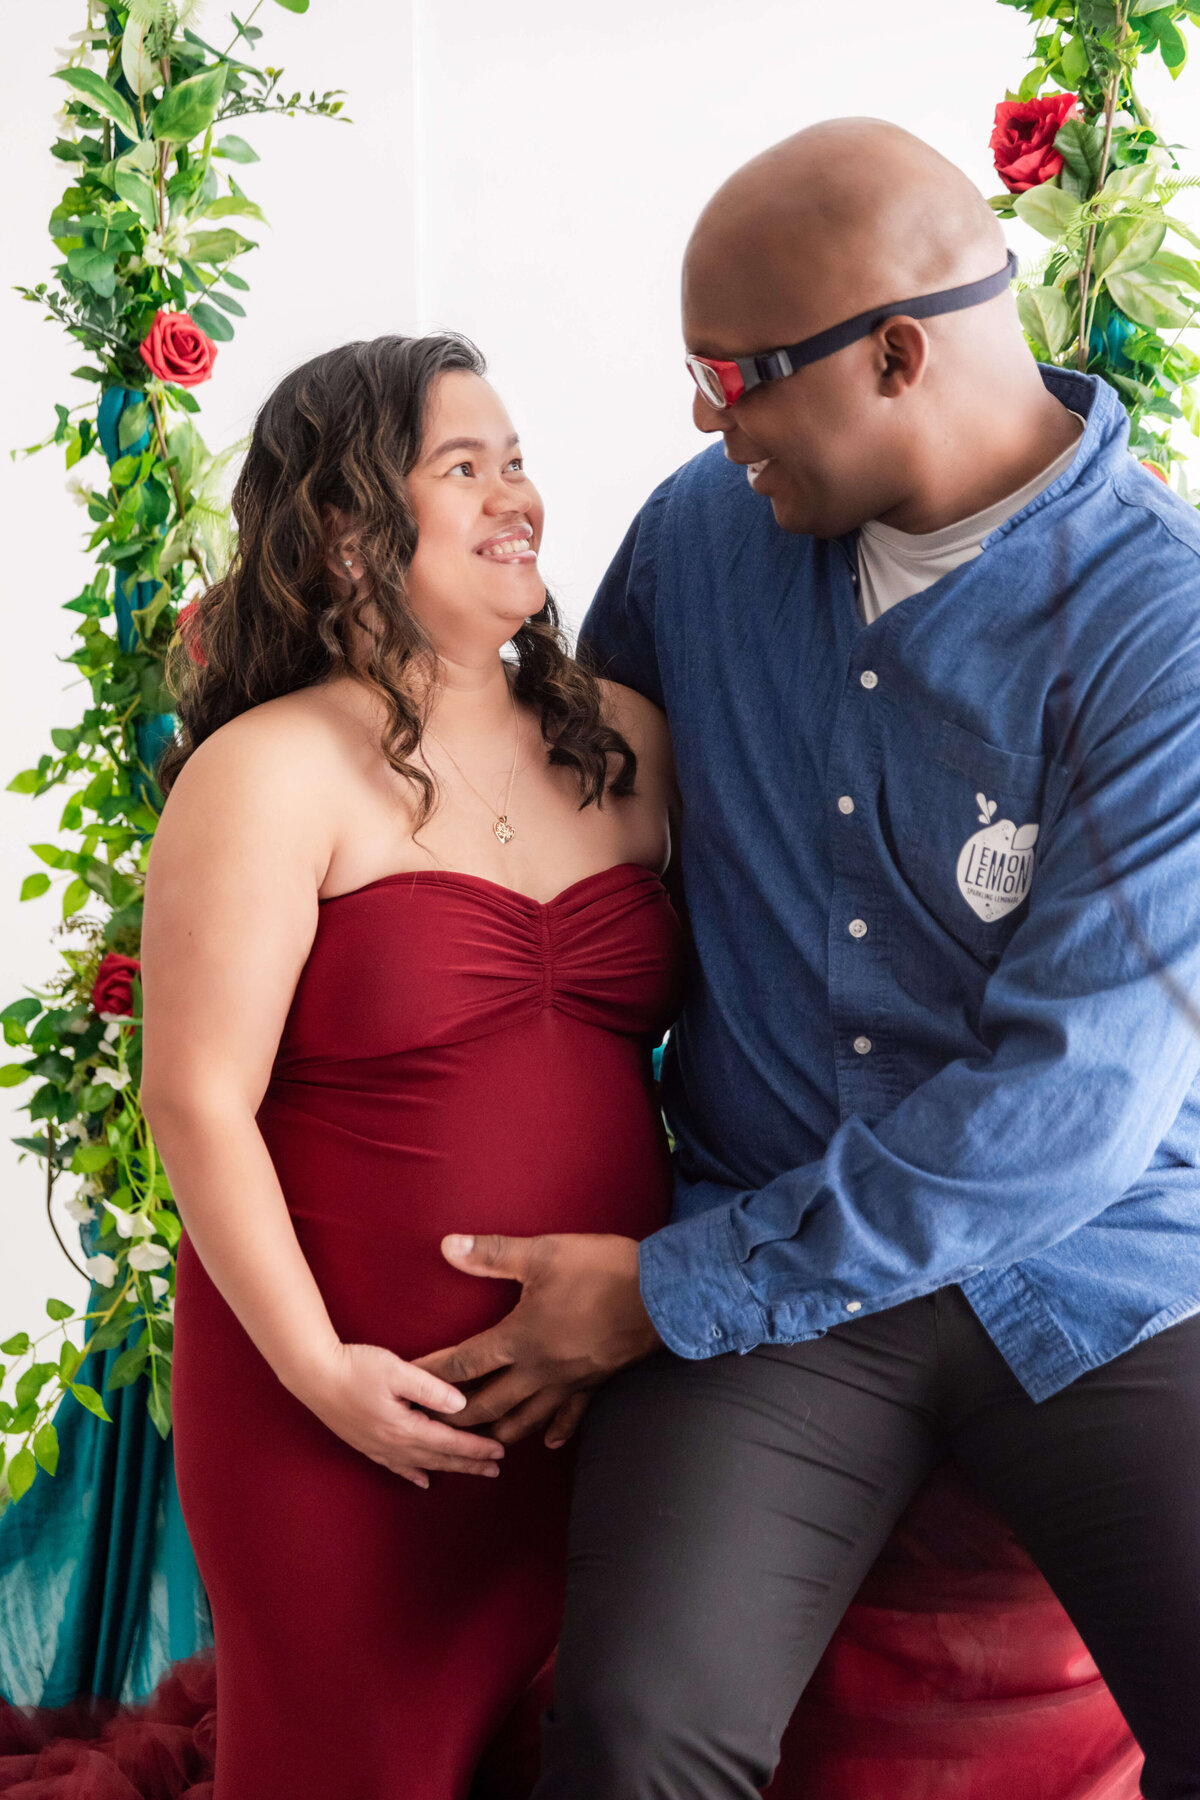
929, 645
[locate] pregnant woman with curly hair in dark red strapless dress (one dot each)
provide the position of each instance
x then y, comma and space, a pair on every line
406, 958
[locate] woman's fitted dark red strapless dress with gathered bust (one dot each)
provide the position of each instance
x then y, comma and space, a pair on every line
456, 1057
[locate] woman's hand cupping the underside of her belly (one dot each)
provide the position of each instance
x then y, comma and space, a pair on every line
373, 1401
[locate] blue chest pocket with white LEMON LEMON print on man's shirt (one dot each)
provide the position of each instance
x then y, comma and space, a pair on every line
978, 822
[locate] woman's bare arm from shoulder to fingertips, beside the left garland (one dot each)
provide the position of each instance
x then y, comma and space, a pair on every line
231, 913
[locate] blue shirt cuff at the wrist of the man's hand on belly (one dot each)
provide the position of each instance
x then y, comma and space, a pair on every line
695, 1291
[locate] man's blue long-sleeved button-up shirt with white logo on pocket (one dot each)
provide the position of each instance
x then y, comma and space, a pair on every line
944, 879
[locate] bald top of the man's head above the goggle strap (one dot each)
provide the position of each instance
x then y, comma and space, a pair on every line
834, 220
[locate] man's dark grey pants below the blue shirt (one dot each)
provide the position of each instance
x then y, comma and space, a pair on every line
728, 1511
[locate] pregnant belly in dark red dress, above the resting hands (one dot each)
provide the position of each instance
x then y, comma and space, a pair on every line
551, 1128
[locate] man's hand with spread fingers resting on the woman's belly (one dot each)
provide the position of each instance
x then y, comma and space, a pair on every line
580, 1320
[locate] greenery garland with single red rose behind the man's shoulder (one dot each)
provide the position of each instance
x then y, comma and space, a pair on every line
1089, 170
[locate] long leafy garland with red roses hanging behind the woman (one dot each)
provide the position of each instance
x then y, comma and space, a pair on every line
147, 285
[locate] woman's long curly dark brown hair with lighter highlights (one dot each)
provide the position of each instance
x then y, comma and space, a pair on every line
345, 431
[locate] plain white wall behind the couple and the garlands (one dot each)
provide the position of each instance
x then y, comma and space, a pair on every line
526, 177
